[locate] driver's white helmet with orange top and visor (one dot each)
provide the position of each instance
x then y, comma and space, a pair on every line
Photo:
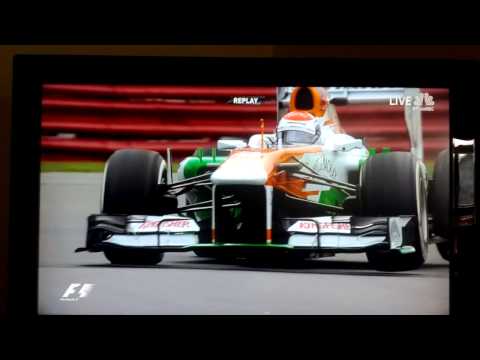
298, 128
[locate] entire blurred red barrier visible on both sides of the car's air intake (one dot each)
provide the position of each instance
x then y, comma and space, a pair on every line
83, 124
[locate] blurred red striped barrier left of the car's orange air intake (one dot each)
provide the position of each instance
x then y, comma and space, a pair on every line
83, 124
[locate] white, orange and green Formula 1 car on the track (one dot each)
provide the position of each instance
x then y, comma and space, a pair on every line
291, 201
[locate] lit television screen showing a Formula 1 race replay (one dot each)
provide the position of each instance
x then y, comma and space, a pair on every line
236, 200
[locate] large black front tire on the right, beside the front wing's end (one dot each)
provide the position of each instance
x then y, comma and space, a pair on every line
388, 187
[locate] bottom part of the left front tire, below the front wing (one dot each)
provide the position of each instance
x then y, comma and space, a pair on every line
123, 256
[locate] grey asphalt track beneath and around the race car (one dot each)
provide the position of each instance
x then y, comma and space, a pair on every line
188, 285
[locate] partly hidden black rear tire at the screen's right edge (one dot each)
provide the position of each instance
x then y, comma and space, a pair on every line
440, 202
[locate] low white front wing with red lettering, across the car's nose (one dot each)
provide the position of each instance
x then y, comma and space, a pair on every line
321, 234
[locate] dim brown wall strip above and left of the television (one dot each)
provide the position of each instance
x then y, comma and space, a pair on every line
343, 51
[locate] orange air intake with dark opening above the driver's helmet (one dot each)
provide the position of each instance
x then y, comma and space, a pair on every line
311, 99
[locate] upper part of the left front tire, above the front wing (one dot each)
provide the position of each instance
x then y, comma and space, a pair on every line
131, 181
